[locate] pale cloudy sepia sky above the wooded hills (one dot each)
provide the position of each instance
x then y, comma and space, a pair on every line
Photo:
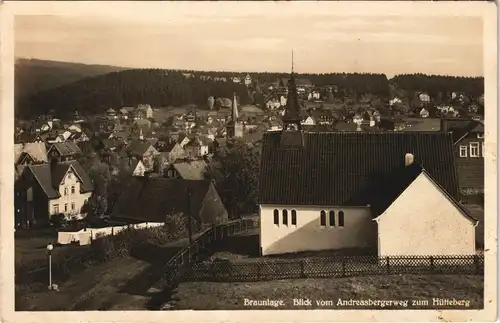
322, 43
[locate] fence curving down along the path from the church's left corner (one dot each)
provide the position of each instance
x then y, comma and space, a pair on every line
182, 263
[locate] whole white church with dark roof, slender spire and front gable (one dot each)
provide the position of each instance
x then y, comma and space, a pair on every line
393, 192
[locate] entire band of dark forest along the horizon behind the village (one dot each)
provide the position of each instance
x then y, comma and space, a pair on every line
160, 87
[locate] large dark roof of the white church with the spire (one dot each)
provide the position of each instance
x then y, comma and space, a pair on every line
341, 168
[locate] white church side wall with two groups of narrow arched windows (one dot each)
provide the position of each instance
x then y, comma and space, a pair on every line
359, 230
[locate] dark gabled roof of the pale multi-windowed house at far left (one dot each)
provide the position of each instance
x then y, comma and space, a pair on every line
49, 176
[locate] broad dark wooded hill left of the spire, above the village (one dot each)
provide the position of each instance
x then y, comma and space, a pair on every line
129, 88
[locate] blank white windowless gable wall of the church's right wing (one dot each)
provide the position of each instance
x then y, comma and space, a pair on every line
423, 221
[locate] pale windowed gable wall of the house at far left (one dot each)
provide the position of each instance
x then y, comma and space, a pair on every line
77, 198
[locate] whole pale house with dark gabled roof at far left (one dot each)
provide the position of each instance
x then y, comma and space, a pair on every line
45, 190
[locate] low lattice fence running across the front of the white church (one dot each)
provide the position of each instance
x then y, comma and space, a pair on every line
337, 266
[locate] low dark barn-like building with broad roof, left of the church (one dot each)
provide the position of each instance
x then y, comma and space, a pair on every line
154, 199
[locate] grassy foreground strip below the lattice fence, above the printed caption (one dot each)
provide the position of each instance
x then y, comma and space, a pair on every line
225, 296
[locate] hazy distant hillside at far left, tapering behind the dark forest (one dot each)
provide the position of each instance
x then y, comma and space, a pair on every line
35, 75
